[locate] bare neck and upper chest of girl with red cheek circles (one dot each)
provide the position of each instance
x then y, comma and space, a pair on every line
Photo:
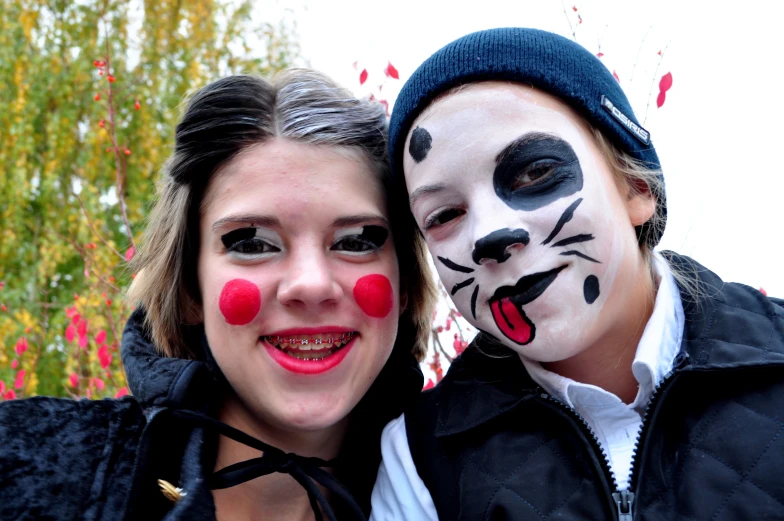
277, 495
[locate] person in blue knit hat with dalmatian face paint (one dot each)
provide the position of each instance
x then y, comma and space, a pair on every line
607, 381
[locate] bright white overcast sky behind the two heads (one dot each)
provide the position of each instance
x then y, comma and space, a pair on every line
718, 135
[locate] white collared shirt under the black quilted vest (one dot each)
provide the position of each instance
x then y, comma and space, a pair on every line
400, 493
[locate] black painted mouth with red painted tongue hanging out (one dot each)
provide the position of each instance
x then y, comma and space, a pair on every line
507, 303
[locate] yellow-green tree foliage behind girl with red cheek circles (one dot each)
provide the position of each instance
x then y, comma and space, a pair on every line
90, 96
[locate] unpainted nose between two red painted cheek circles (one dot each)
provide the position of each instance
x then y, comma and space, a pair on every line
309, 282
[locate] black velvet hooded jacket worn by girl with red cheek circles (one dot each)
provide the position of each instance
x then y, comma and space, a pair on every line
101, 460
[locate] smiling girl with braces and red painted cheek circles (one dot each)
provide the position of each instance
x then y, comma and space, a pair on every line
284, 305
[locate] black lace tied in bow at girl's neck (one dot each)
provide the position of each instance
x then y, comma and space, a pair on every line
307, 471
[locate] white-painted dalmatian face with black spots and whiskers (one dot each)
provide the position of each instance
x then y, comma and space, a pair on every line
523, 217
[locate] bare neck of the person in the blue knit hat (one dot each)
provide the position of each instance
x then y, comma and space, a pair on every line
607, 363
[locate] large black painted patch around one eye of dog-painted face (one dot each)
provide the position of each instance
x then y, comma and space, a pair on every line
536, 170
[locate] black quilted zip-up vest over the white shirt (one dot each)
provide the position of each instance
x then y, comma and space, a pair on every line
490, 444
